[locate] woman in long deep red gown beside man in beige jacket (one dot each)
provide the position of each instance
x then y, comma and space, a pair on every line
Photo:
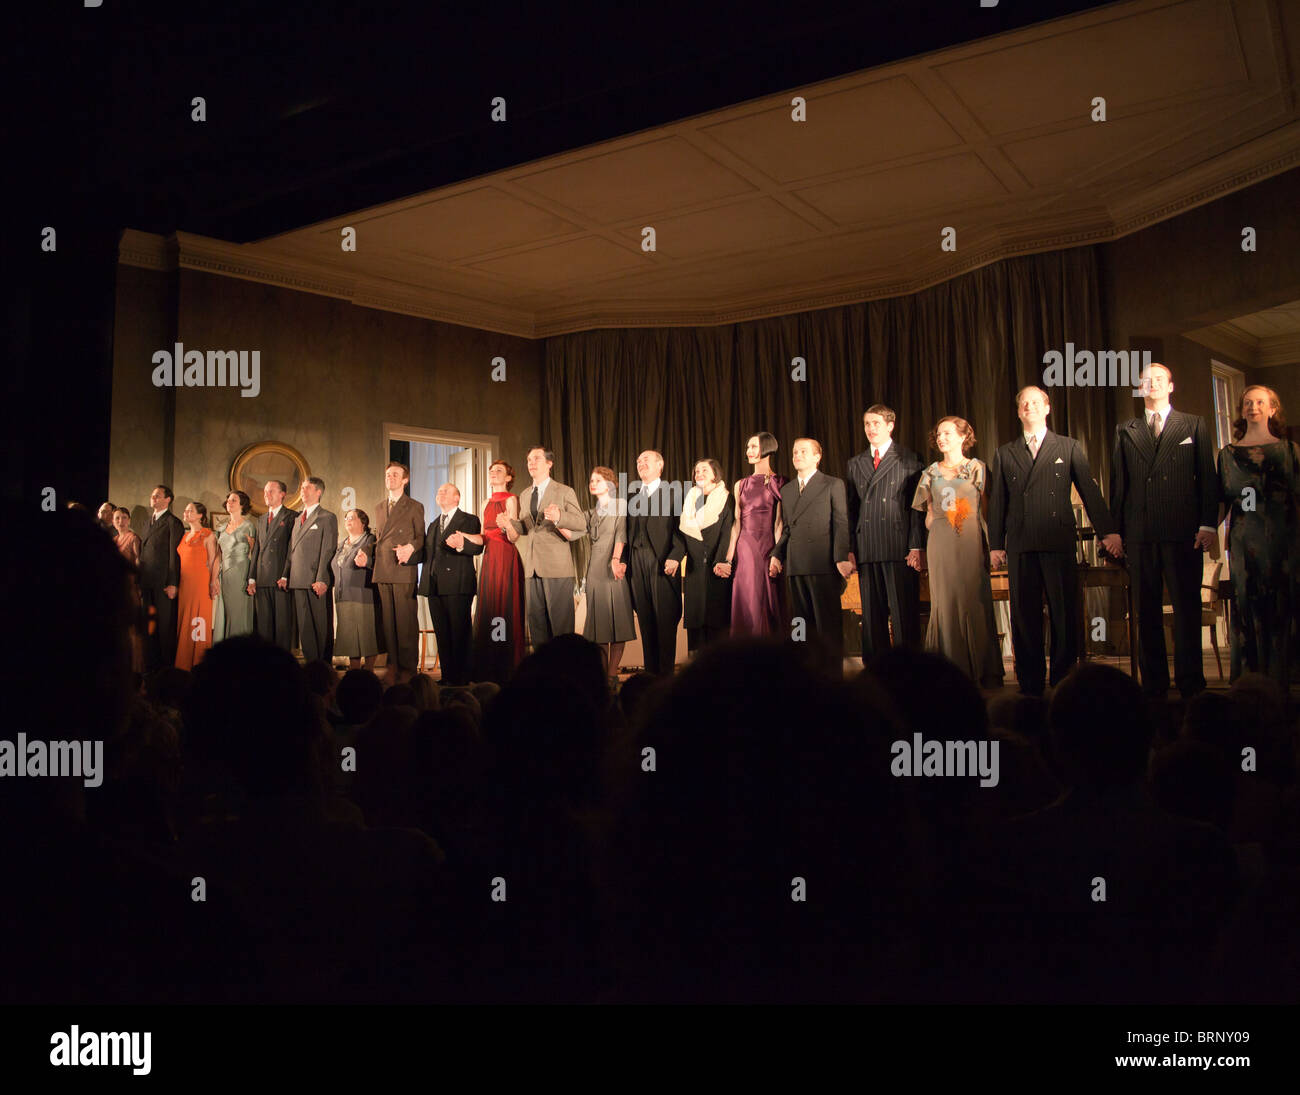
500, 640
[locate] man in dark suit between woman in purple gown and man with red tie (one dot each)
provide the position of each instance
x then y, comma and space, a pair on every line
814, 546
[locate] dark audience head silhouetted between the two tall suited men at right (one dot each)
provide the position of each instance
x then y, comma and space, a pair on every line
1100, 728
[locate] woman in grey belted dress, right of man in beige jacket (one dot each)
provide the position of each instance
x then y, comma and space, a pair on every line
609, 600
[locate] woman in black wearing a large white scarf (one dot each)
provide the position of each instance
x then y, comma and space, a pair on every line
708, 514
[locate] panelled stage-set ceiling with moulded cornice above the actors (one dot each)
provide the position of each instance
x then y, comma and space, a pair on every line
760, 217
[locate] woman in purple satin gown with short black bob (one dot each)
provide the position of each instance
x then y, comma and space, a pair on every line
759, 607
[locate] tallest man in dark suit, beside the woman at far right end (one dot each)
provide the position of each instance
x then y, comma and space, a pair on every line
1164, 495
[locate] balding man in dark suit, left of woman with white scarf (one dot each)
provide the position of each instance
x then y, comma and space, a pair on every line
655, 555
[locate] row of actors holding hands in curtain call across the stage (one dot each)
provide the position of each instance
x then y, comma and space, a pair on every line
772, 556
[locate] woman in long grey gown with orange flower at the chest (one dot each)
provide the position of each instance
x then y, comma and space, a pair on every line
951, 494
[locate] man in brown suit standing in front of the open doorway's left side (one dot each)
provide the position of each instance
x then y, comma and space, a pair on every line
398, 549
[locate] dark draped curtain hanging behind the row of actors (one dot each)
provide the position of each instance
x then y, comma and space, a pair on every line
963, 348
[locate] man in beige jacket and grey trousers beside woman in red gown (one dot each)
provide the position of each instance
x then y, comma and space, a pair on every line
549, 575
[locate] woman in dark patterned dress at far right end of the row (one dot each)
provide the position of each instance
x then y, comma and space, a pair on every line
1260, 478
